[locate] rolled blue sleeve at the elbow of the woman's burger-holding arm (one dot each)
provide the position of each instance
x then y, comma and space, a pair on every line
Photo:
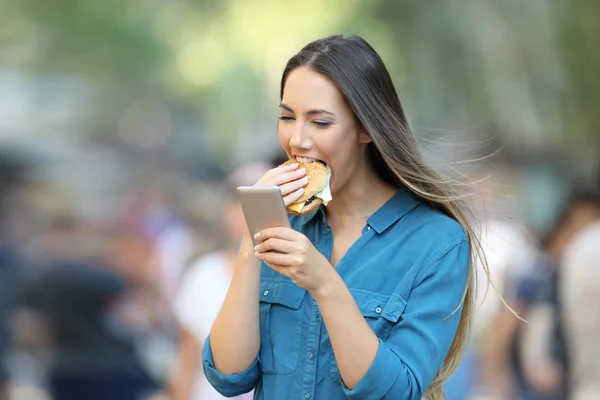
229, 385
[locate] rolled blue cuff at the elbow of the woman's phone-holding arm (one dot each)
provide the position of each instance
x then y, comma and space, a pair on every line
380, 377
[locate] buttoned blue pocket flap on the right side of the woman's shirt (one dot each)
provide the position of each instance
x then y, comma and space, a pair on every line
375, 305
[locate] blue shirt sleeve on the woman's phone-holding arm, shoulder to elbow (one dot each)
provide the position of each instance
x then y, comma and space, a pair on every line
407, 362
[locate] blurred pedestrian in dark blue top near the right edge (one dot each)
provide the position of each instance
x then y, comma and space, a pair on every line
541, 353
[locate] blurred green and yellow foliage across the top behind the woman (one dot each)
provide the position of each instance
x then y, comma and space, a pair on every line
525, 72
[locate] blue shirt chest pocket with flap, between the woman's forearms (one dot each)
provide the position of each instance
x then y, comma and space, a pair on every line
280, 326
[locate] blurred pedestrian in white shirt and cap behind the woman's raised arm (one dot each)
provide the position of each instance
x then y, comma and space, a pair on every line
202, 291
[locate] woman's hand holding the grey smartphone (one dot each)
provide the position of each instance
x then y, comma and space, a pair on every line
292, 254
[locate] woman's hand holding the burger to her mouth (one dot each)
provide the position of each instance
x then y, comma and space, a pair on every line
289, 178
